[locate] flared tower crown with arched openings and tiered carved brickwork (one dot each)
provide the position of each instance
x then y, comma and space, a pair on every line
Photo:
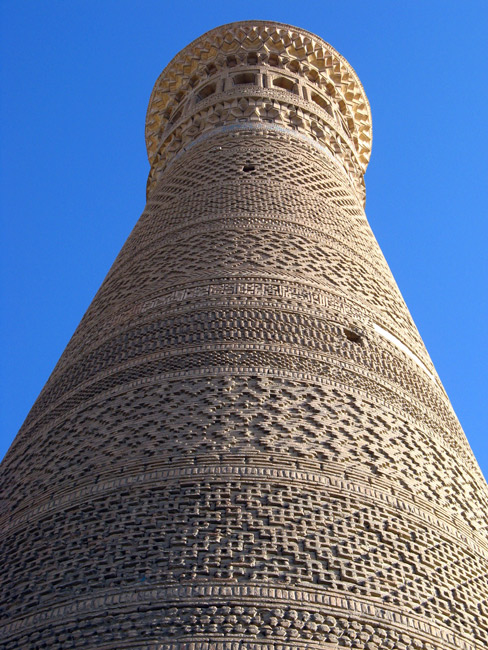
266, 73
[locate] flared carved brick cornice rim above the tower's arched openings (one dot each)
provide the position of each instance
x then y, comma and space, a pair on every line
265, 43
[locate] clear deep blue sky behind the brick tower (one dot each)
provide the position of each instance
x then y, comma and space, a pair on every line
75, 82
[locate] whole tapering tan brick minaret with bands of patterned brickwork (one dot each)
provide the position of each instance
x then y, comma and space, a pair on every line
245, 445
